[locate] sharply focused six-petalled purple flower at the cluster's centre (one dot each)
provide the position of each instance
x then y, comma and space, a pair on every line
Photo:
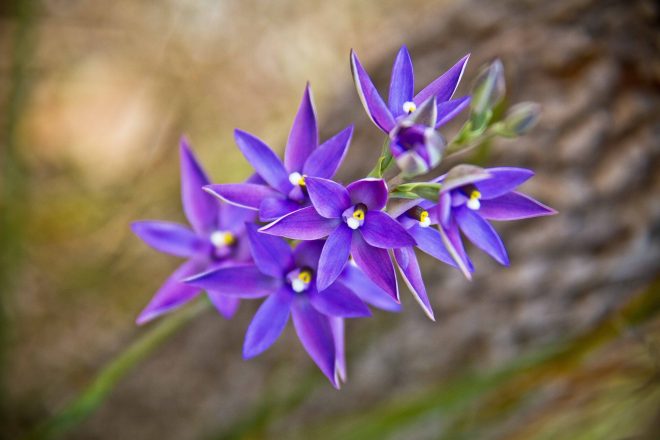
353, 220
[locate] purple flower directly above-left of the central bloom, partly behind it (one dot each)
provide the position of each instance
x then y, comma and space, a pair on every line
284, 188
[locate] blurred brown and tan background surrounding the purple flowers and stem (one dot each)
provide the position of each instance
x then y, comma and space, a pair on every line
94, 96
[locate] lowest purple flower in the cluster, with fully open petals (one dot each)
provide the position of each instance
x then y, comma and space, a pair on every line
287, 277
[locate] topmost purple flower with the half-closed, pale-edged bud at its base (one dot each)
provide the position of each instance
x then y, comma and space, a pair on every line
411, 120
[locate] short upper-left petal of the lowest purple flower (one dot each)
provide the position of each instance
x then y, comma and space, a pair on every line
271, 254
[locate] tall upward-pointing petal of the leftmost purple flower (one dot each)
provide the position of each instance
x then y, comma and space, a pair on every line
200, 208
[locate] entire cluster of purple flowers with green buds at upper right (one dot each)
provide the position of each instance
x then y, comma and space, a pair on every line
321, 252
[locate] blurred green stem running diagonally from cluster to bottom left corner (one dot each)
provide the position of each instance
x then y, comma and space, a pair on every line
95, 394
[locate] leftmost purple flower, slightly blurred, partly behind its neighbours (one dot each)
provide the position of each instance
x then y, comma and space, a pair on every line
215, 240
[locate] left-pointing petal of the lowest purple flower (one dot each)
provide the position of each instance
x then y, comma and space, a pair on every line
243, 281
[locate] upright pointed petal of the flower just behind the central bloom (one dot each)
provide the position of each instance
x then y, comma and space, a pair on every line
304, 136
